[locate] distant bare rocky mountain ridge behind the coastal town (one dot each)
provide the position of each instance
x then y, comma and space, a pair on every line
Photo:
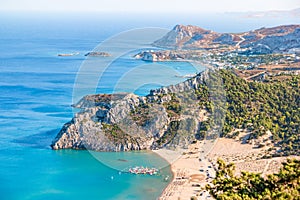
264, 40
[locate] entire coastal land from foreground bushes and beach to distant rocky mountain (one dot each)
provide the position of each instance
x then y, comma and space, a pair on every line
256, 114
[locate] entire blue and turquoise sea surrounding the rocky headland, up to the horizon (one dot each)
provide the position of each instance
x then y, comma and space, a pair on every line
38, 87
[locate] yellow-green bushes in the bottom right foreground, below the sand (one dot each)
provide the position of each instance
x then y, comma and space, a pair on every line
252, 186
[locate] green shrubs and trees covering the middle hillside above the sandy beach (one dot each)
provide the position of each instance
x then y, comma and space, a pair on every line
267, 107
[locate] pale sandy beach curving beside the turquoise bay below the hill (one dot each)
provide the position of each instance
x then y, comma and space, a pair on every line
195, 167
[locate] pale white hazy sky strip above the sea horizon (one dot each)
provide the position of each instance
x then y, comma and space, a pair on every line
149, 5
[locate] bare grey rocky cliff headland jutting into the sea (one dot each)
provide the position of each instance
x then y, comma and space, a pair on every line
124, 122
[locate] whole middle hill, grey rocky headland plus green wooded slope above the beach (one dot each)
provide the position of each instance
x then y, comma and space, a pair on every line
179, 115
